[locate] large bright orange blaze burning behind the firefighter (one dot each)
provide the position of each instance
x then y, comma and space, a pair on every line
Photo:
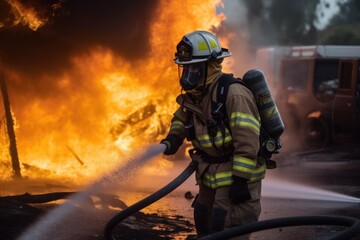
88, 126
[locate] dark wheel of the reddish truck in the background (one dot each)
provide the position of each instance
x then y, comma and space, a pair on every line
315, 133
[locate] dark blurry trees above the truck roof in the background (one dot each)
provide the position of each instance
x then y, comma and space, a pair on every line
283, 22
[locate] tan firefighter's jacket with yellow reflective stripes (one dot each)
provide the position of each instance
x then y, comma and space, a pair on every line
242, 139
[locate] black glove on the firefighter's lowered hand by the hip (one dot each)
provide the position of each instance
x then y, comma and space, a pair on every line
239, 190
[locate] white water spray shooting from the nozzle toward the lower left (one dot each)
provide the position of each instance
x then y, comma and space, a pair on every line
49, 223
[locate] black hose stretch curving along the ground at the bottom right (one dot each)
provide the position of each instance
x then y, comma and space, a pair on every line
352, 223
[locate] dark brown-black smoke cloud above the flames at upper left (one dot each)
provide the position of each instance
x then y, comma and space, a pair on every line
70, 28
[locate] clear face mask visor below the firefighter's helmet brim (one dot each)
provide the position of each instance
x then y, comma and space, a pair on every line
191, 75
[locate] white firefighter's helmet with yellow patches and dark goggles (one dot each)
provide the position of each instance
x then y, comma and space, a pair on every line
199, 46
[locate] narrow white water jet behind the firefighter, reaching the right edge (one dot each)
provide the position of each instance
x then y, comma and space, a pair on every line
282, 189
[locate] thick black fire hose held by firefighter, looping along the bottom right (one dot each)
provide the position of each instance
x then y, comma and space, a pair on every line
353, 224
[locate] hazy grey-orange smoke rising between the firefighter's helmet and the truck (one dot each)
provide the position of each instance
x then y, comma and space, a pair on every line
248, 27
